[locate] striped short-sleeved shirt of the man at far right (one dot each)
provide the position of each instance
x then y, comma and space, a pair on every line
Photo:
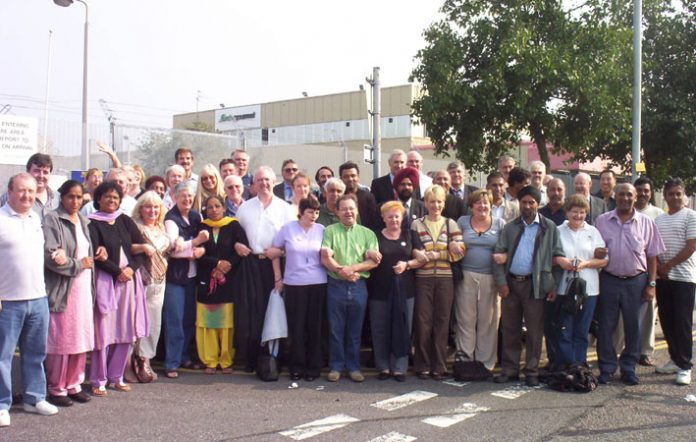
675, 230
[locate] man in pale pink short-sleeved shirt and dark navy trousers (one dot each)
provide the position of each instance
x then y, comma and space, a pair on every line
627, 283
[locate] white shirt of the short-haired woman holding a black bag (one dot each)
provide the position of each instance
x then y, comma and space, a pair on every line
580, 244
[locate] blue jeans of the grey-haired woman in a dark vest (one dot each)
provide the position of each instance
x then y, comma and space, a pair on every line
179, 322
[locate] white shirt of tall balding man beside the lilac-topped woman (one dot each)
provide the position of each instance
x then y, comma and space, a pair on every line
261, 224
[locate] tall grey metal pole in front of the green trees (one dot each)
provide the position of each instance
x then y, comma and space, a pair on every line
637, 80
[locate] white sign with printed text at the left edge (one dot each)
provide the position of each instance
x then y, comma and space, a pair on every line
18, 137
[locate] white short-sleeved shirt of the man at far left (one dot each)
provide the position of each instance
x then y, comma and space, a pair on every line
21, 255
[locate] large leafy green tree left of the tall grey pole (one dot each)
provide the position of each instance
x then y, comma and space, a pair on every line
494, 71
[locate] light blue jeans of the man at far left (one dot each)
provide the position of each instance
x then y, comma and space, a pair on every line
26, 323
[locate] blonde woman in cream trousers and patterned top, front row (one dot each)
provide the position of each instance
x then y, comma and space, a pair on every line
148, 215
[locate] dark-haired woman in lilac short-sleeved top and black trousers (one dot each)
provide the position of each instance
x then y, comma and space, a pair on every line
305, 288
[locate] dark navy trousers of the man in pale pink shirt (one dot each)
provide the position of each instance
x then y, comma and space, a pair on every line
625, 295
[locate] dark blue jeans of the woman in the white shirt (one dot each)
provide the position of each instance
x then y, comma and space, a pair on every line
572, 338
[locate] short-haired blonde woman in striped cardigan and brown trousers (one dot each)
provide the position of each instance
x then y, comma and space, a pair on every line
437, 241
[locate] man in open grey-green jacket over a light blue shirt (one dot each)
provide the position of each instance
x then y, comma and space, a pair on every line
525, 280
